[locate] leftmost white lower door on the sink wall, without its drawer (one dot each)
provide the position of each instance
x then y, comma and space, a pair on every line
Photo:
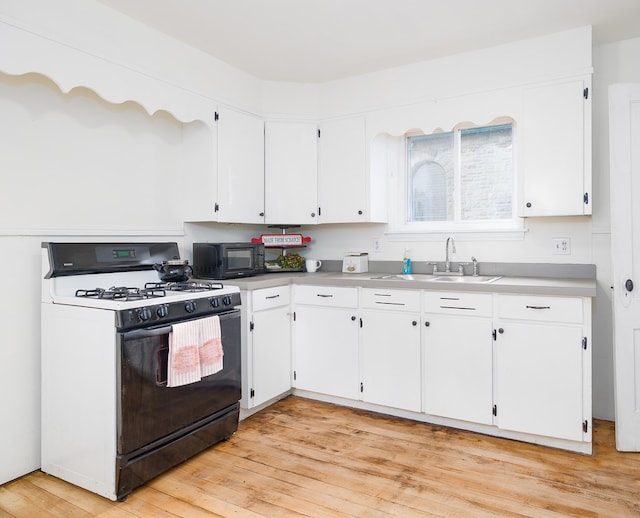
326, 351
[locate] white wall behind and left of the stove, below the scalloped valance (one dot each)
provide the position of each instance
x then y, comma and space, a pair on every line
73, 167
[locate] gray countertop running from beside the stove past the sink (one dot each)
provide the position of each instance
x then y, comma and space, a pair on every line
583, 287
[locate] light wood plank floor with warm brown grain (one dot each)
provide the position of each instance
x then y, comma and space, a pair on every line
306, 458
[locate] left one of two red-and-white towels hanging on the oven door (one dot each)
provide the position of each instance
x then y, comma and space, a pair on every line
184, 357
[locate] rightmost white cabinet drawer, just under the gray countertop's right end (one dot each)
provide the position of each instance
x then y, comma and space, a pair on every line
540, 308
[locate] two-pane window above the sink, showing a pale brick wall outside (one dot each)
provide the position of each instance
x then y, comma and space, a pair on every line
462, 179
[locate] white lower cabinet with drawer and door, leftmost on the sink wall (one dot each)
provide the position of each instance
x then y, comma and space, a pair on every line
326, 340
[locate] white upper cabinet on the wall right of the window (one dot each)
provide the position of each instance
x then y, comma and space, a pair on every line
555, 178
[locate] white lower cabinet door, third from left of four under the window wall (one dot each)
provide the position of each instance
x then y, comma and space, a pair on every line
458, 367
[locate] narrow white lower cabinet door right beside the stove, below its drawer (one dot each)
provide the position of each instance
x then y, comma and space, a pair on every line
271, 353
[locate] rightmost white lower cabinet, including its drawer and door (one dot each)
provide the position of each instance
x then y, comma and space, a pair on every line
543, 366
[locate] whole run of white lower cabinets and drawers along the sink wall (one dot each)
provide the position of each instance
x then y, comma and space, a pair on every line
519, 365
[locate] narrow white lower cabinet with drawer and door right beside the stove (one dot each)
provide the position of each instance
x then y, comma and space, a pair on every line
267, 352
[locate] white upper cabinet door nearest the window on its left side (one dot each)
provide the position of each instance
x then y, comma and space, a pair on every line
342, 192
